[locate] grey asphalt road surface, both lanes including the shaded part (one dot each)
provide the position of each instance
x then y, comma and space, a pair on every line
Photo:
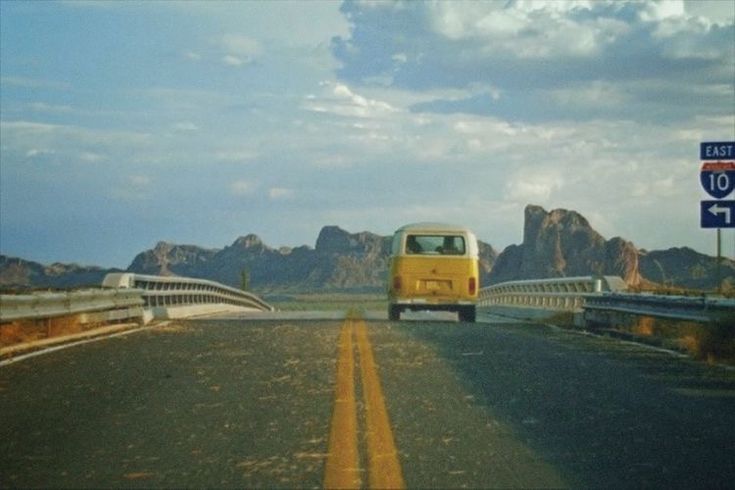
251, 403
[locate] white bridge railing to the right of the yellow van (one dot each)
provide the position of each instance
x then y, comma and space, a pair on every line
567, 293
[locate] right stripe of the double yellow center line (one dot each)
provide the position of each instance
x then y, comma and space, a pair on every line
384, 469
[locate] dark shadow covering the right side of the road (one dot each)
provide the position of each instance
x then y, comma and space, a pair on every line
605, 416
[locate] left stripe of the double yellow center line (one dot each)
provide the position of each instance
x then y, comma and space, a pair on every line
343, 467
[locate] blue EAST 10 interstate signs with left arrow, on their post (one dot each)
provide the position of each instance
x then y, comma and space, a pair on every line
717, 177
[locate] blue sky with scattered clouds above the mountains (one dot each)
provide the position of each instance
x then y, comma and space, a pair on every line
124, 123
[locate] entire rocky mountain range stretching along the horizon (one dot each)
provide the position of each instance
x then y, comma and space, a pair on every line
559, 243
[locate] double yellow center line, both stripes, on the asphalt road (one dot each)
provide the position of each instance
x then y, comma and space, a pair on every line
343, 461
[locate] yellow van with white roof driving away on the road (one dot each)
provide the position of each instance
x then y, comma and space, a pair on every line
433, 266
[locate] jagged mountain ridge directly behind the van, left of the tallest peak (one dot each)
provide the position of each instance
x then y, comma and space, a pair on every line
340, 261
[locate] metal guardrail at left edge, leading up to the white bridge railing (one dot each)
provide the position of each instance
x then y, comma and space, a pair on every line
111, 305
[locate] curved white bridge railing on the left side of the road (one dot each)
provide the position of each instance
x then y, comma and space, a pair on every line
162, 293
